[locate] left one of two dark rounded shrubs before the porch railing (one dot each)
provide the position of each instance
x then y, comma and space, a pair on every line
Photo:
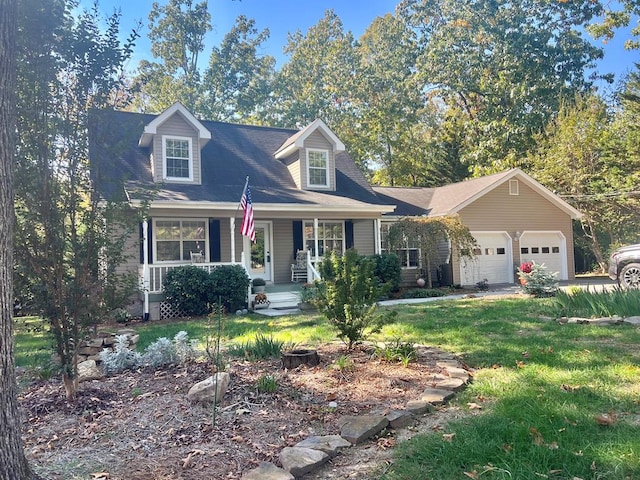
188, 288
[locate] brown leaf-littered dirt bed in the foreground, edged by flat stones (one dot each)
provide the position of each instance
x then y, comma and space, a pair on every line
140, 425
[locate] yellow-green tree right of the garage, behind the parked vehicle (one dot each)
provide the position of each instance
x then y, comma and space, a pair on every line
583, 159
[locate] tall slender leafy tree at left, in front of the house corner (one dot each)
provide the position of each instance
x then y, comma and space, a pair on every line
68, 66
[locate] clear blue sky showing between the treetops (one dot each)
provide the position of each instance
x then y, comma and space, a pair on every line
286, 16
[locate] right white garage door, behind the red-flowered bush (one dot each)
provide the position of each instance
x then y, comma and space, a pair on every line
545, 247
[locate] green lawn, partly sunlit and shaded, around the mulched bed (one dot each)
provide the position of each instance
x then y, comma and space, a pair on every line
541, 386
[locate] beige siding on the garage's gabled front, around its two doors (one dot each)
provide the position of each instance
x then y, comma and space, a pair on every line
499, 211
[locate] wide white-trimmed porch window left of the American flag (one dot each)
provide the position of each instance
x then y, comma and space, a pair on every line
175, 240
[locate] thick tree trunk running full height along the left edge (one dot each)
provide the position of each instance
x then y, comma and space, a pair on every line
13, 463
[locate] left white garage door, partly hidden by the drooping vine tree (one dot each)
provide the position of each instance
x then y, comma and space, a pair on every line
493, 260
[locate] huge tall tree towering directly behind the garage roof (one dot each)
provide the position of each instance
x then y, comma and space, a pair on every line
505, 66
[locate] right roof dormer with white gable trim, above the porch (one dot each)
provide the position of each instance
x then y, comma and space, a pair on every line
310, 156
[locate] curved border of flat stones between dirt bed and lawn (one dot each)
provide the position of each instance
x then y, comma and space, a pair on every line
313, 452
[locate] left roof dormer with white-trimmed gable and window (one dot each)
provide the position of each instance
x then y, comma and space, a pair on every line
175, 138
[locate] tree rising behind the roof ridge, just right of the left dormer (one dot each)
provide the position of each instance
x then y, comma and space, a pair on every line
238, 80
